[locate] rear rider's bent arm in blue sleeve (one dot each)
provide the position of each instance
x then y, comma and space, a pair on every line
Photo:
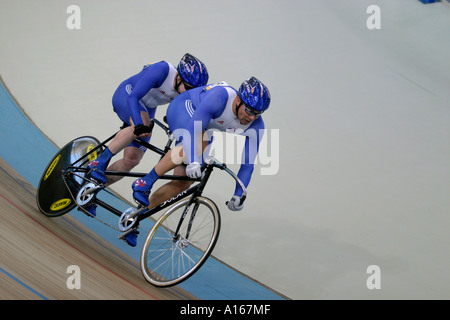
154, 77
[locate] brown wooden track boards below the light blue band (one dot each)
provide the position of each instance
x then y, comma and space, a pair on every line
36, 252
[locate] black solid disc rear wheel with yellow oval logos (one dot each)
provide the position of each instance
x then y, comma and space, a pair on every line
53, 197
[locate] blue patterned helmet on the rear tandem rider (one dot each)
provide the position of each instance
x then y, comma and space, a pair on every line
193, 71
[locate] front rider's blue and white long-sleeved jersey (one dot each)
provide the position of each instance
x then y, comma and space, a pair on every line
211, 107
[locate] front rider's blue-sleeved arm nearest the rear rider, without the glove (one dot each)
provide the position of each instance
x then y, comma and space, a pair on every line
210, 107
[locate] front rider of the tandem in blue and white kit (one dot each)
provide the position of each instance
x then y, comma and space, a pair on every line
216, 106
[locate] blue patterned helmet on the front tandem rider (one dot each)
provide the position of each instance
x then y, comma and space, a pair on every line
255, 94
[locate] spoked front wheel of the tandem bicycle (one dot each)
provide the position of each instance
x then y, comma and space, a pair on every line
186, 255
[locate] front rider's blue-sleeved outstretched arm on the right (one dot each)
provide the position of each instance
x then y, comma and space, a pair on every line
254, 135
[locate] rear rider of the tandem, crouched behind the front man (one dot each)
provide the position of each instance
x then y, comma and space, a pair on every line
135, 102
